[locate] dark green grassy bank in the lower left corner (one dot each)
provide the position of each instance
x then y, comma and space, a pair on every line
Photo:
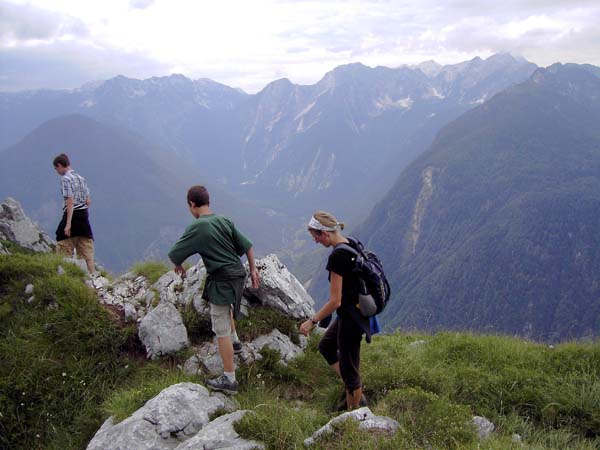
60, 354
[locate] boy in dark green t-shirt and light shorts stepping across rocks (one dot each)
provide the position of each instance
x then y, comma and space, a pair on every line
220, 244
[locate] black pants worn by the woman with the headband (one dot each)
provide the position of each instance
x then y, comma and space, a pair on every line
341, 342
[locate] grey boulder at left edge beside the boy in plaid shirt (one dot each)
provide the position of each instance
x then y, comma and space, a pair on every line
15, 226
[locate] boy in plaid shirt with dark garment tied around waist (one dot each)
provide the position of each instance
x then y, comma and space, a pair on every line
74, 231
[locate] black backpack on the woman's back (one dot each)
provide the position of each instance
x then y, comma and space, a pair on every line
374, 287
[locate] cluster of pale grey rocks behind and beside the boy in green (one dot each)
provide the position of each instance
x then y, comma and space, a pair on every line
155, 307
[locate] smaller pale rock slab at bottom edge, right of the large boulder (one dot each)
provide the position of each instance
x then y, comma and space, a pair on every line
219, 434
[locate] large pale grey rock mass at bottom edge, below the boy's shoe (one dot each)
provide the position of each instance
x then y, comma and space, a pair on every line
170, 421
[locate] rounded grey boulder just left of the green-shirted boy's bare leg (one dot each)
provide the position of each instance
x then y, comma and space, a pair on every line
162, 331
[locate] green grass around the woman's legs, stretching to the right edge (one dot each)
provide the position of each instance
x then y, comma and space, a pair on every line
547, 396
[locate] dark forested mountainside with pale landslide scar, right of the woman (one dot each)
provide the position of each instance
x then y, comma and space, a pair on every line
496, 226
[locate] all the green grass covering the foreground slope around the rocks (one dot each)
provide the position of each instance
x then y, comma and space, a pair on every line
68, 364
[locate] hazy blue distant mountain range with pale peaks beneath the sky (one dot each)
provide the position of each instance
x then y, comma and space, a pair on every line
287, 145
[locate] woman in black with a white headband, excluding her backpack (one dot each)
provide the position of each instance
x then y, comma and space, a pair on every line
340, 346
